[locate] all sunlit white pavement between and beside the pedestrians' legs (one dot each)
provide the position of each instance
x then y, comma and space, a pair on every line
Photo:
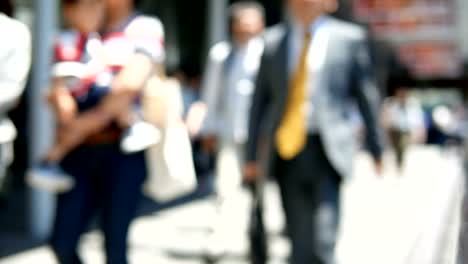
388, 219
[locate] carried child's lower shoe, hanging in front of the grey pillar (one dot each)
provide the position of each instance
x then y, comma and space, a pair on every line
49, 177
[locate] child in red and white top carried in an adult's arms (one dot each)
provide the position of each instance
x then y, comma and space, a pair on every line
84, 68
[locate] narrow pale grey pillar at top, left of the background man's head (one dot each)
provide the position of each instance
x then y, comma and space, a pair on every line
217, 21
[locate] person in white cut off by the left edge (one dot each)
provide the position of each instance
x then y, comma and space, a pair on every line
15, 57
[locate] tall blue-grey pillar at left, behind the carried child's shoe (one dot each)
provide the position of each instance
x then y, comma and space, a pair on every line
41, 132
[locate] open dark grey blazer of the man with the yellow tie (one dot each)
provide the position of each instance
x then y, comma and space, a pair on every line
346, 83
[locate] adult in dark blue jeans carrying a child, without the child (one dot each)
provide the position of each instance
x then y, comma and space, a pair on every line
108, 179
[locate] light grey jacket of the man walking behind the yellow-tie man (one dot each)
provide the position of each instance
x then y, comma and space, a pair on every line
215, 91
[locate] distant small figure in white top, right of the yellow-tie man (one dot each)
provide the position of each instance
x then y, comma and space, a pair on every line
403, 120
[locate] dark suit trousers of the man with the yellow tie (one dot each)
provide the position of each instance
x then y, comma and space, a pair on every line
310, 193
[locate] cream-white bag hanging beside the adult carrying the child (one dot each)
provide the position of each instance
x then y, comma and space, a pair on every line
171, 171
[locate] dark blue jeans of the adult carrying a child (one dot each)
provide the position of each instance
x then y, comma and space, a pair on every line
107, 182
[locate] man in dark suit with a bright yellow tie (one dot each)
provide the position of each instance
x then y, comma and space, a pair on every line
315, 74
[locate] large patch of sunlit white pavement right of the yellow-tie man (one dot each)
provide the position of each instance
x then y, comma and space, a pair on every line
407, 219
